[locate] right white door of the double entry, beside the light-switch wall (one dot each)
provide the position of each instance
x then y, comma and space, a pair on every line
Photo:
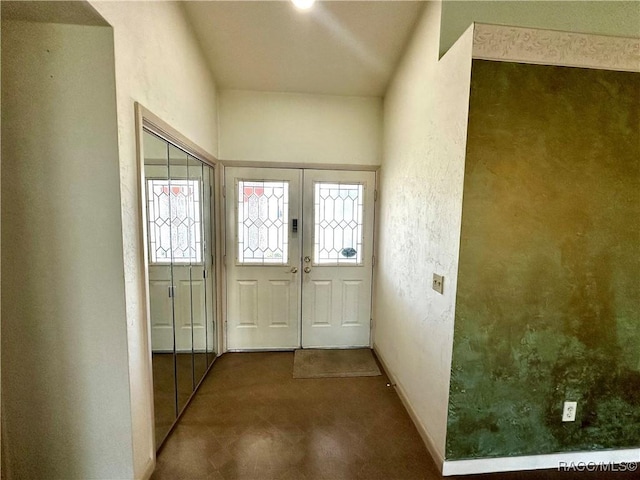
338, 254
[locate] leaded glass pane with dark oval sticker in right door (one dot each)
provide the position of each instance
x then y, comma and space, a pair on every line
338, 223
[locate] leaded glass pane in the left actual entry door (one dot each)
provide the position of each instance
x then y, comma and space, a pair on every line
263, 219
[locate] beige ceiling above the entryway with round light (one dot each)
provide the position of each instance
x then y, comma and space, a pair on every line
337, 47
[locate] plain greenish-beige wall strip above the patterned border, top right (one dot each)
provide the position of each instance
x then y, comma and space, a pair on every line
614, 18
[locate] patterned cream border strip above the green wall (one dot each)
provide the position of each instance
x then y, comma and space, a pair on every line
550, 47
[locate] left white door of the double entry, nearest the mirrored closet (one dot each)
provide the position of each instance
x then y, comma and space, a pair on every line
263, 257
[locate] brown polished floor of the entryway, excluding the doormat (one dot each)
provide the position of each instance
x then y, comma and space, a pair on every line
251, 420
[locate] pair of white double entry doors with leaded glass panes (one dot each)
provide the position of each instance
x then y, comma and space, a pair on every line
299, 258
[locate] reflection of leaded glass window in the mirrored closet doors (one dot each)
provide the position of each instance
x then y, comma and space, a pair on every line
174, 221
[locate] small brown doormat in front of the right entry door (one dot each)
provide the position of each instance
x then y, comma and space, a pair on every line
312, 363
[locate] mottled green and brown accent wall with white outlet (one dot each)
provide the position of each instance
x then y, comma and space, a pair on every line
548, 295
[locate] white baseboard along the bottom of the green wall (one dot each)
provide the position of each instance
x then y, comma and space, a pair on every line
629, 459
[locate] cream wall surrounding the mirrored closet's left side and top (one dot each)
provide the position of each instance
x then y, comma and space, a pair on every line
159, 64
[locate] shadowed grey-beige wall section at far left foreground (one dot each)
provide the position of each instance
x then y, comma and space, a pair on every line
65, 396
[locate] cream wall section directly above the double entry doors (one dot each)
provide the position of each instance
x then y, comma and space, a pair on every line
300, 128
